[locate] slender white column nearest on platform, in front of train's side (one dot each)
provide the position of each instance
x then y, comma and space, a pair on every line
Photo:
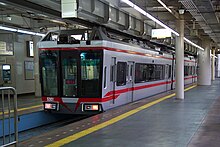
179, 73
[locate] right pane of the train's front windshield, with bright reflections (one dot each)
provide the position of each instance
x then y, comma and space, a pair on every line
90, 73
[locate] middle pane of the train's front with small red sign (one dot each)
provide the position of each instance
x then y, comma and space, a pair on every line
69, 71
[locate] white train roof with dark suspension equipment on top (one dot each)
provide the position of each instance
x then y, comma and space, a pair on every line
97, 37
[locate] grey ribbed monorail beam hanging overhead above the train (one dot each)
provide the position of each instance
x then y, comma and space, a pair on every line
102, 12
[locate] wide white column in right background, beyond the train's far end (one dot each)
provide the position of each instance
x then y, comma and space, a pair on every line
204, 72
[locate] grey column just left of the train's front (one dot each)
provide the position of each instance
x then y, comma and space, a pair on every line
36, 67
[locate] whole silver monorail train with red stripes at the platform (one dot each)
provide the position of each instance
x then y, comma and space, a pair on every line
86, 77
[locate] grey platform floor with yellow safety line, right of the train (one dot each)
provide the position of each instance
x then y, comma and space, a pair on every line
158, 121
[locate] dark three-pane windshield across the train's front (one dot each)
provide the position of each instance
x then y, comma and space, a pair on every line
71, 73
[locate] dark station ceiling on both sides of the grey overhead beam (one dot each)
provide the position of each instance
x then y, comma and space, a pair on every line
201, 16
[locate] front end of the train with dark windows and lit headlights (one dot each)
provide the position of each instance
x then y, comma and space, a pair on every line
70, 78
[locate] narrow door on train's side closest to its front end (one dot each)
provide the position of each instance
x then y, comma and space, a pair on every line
113, 78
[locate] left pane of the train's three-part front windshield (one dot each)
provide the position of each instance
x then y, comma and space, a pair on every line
49, 73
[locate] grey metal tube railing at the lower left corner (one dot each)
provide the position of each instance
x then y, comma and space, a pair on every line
8, 116
